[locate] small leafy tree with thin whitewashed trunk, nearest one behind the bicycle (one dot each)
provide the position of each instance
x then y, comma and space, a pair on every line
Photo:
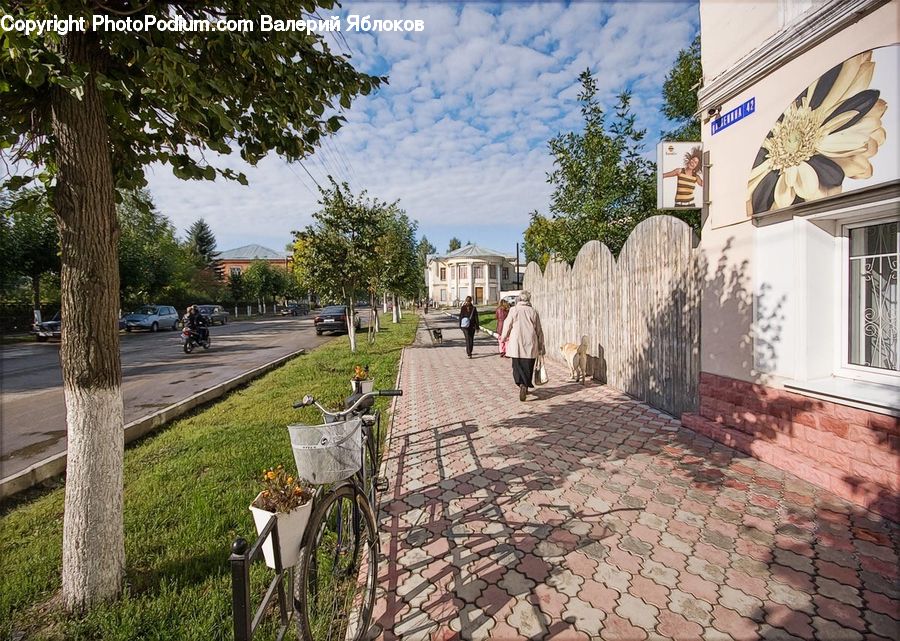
336, 255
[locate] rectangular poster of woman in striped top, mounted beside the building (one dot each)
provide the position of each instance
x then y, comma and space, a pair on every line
679, 183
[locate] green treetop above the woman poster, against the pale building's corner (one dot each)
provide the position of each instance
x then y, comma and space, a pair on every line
680, 93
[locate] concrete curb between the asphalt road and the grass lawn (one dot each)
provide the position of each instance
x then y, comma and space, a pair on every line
56, 464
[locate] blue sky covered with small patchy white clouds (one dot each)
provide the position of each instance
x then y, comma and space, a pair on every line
459, 135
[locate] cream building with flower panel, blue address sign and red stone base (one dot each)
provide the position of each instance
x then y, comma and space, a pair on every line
800, 362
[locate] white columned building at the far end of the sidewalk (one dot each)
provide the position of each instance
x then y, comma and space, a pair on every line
473, 271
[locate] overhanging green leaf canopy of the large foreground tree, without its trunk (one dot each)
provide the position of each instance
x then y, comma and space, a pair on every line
168, 93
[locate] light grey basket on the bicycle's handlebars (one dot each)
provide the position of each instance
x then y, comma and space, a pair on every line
327, 453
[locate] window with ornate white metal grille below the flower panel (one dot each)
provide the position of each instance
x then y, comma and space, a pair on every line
873, 304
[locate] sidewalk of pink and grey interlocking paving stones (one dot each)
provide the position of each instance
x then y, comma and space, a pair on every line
584, 514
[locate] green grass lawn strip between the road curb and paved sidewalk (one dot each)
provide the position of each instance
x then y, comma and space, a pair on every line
187, 490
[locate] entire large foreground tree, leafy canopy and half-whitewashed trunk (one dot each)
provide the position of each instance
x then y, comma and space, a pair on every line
89, 110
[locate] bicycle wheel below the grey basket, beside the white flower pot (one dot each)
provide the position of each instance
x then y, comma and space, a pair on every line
334, 587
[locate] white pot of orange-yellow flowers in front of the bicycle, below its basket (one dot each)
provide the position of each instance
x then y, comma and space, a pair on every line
290, 500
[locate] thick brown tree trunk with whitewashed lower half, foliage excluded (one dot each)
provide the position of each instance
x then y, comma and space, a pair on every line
93, 558
